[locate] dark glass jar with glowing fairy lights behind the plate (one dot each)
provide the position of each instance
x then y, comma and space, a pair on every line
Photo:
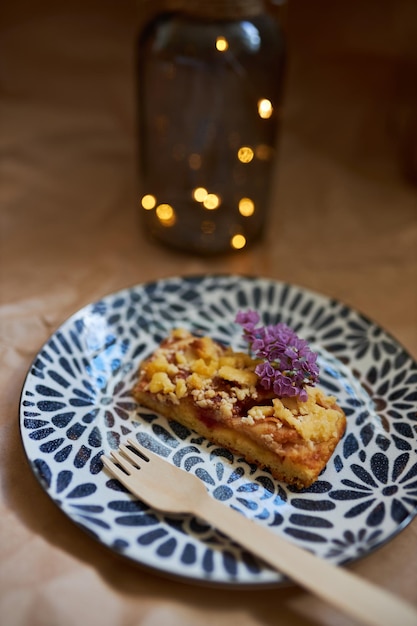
210, 85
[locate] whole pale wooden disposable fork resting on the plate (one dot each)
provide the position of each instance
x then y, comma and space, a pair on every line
167, 488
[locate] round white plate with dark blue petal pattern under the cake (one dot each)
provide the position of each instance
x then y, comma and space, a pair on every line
76, 404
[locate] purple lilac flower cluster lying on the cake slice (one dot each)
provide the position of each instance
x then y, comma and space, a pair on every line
287, 364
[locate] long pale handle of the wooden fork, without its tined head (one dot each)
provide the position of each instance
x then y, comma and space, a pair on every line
349, 593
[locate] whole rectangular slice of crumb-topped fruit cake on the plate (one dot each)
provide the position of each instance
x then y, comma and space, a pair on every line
215, 391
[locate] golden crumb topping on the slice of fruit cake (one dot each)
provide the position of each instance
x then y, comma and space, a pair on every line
224, 381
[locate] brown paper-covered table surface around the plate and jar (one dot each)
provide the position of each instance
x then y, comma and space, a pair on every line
343, 223
